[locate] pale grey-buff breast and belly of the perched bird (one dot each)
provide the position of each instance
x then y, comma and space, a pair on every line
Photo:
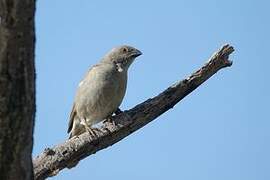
101, 94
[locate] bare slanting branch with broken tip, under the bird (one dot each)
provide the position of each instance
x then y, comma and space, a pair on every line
51, 161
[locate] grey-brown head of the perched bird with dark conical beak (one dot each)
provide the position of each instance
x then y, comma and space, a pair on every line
122, 57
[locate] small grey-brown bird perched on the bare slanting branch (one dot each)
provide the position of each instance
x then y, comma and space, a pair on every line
102, 90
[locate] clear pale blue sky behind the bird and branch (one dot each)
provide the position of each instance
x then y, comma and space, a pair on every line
221, 131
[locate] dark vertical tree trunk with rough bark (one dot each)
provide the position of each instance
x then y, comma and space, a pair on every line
17, 88
